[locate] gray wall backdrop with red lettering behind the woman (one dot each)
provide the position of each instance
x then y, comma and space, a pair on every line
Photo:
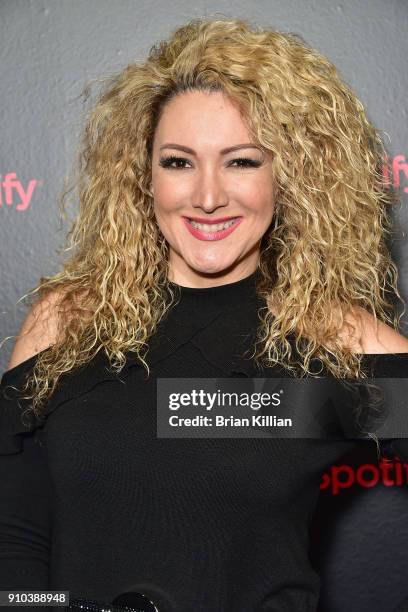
49, 49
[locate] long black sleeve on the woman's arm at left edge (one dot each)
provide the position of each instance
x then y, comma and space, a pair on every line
25, 494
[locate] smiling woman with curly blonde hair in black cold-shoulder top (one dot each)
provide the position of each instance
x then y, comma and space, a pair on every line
230, 199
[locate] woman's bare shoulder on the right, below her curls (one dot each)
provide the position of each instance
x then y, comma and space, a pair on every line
373, 336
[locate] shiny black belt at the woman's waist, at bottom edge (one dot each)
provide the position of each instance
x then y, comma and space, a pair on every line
126, 602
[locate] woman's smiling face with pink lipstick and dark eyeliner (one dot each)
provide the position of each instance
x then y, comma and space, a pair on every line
194, 177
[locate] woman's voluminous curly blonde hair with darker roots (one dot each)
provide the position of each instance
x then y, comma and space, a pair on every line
323, 254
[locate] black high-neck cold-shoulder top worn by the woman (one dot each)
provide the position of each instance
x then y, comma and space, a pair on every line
93, 502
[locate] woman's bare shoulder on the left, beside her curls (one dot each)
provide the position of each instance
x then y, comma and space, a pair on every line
39, 329
